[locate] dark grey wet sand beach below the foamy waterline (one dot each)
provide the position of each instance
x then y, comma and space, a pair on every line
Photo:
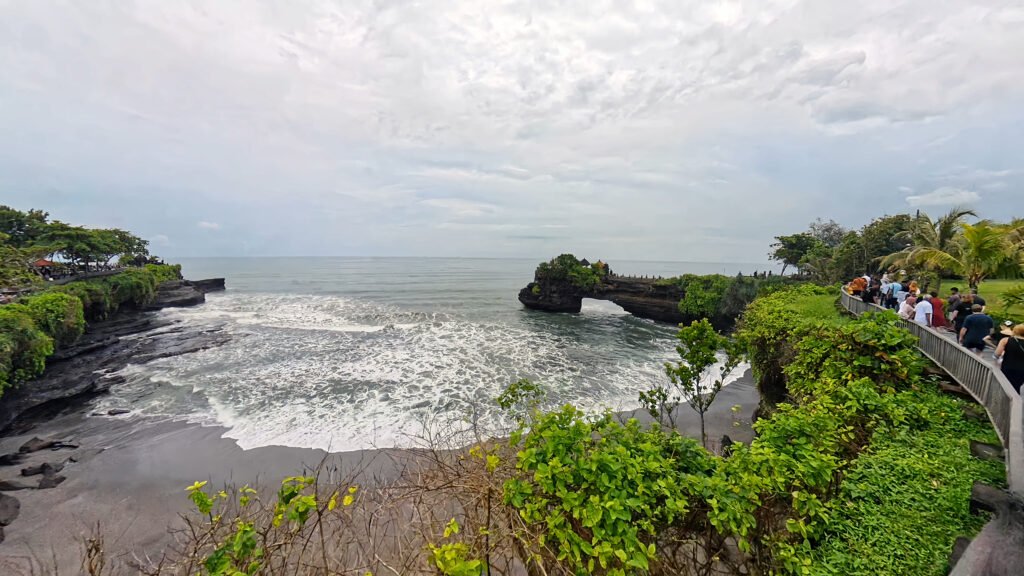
131, 476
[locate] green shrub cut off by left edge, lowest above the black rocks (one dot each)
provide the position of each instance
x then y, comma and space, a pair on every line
24, 347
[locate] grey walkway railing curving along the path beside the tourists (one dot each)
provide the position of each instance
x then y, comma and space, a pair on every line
984, 381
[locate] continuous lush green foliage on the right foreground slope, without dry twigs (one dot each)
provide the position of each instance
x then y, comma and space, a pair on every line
788, 499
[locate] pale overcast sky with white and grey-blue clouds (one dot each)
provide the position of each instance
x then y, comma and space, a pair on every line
684, 131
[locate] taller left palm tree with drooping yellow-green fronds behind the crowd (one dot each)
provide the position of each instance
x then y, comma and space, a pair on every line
929, 238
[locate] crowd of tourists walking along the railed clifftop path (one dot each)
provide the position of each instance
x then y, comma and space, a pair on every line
962, 315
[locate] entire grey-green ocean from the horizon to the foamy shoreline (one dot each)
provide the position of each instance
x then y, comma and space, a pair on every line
351, 354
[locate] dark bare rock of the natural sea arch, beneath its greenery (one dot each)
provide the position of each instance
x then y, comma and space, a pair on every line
641, 297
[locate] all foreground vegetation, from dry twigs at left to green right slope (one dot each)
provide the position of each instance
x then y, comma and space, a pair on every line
864, 470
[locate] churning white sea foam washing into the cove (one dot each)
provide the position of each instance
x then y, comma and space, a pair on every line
343, 375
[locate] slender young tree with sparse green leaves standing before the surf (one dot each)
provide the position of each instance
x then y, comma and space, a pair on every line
694, 378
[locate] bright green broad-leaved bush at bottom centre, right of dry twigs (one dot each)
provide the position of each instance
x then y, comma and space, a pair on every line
601, 492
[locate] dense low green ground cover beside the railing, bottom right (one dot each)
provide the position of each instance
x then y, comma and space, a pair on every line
906, 499
